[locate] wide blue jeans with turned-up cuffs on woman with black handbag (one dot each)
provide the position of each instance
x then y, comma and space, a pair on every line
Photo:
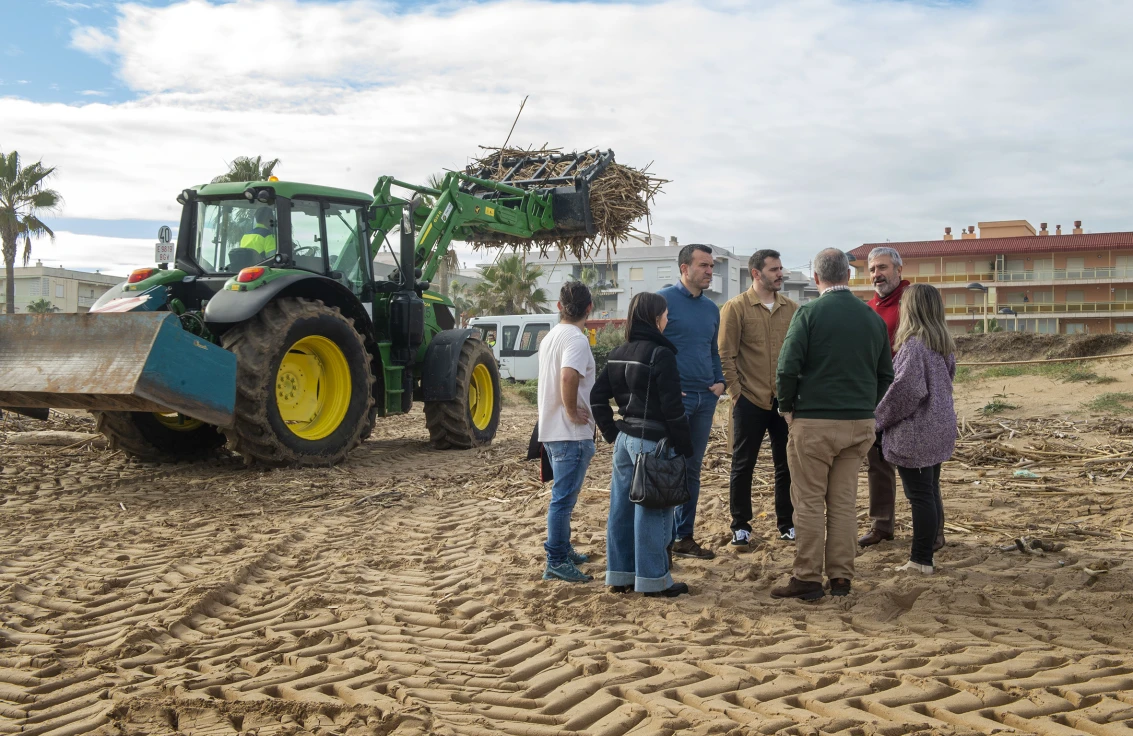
636, 537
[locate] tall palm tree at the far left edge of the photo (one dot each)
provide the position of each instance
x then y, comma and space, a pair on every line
23, 201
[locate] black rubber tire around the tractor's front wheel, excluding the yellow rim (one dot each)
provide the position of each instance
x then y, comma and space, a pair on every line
450, 423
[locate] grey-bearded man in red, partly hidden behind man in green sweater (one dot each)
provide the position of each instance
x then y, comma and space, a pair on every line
885, 268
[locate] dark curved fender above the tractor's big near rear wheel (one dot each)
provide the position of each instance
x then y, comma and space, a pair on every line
234, 307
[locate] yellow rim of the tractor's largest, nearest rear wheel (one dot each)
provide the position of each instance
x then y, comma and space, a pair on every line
313, 388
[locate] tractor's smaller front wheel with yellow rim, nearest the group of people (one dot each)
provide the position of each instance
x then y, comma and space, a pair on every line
473, 418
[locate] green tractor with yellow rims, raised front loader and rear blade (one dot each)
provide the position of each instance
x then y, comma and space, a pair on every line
265, 327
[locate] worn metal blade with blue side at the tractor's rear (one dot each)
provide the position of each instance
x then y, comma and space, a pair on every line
130, 362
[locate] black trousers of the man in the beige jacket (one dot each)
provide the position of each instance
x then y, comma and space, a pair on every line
749, 425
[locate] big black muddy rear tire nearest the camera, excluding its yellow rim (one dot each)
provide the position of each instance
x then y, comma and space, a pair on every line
261, 344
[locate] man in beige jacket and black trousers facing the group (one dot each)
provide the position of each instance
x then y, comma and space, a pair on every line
753, 327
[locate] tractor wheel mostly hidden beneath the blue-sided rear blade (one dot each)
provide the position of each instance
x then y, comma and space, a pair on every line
159, 438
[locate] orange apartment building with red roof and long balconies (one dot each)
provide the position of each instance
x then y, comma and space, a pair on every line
1026, 280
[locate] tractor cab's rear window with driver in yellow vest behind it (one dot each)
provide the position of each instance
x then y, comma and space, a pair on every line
234, 235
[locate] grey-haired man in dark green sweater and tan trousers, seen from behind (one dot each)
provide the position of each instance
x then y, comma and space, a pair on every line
833, 370
